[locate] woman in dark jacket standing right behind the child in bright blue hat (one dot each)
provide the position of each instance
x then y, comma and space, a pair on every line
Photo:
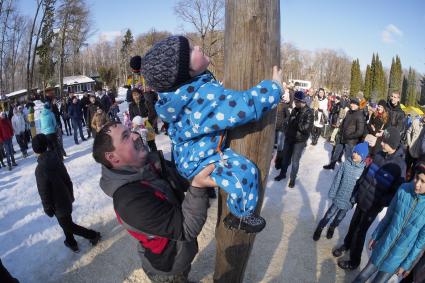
376, 125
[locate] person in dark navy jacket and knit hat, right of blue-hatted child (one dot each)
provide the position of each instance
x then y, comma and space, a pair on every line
374, 190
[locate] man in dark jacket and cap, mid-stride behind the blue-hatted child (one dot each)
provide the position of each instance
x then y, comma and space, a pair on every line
351, 130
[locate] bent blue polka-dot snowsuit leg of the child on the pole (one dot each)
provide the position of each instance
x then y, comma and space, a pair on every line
238, 176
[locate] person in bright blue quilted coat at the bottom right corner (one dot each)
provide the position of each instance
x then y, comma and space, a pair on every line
400, 237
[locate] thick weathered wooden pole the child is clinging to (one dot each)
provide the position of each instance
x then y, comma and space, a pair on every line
252, 48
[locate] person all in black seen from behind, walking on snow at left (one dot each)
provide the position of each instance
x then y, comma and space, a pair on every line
56, 193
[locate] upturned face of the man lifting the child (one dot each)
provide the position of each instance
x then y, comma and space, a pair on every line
129, 148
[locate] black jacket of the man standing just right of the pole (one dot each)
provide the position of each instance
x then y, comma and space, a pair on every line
300, 123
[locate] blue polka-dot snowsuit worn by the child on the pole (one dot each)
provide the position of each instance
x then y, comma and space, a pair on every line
198, 113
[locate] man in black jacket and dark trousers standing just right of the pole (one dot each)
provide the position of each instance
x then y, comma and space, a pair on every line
300, 123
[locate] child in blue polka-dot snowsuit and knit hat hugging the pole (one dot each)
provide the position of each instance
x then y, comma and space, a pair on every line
199, 110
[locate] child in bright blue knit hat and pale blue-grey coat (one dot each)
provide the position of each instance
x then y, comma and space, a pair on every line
341, 190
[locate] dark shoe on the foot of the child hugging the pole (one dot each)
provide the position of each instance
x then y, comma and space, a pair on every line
250, 223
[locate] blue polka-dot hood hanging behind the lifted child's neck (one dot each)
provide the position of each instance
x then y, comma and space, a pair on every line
171, 104
